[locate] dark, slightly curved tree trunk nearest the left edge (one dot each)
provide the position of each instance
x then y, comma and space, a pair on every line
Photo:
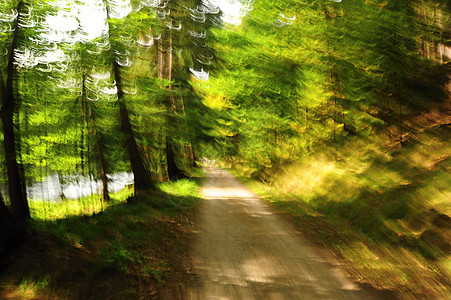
16, 182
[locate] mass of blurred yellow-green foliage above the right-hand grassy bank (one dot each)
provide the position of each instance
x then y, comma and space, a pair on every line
324, 72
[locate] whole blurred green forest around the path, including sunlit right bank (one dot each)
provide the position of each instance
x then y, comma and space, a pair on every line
342, 106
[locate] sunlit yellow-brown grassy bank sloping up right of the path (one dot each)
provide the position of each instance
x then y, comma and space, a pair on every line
386, 215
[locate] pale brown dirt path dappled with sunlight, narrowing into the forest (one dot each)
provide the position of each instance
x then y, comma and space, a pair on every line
244, 250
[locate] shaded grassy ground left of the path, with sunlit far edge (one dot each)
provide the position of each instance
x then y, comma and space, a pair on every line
131, 249
